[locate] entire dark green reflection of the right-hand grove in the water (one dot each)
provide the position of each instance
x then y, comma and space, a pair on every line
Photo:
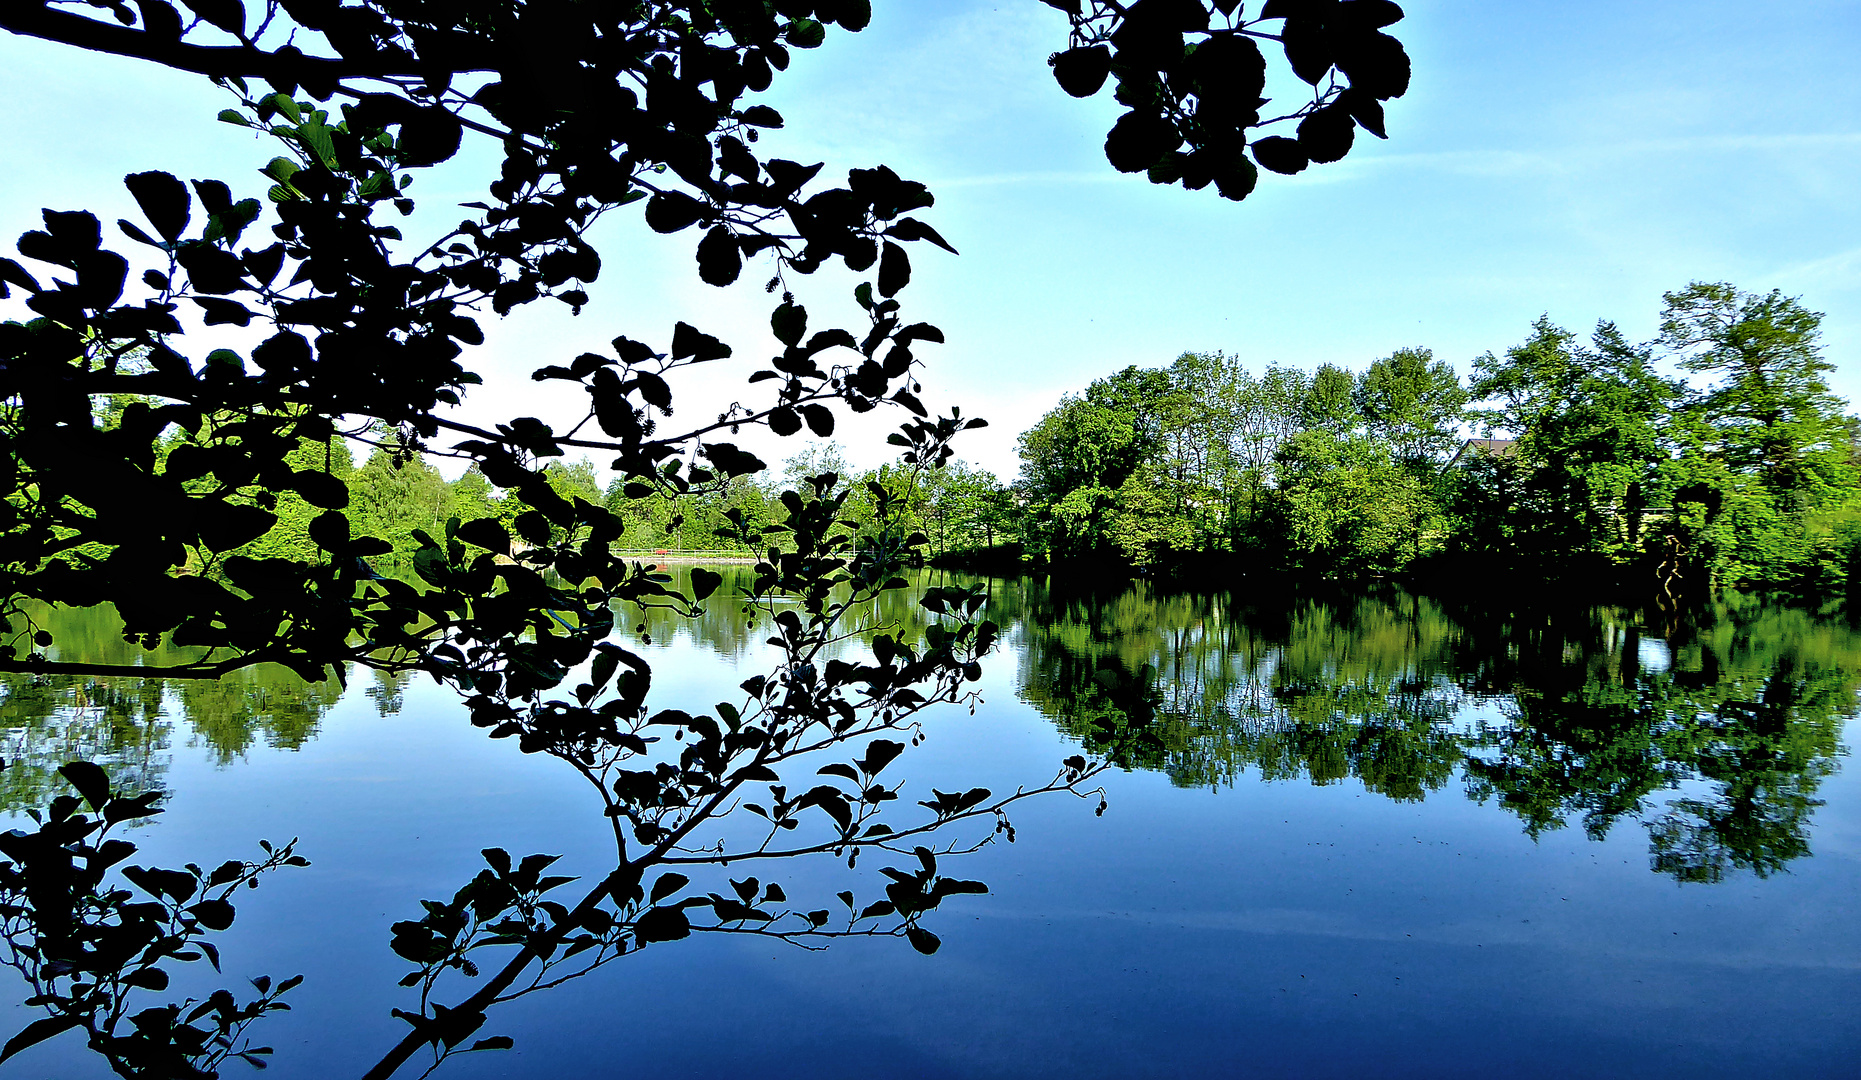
1547, 712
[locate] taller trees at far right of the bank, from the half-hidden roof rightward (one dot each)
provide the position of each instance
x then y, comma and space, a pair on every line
1743, 483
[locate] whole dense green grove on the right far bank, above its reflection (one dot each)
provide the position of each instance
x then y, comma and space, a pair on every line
1609, 470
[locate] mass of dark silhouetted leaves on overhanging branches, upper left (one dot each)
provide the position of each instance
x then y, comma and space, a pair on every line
362, 331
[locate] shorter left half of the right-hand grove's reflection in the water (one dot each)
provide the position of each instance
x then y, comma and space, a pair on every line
1205, 686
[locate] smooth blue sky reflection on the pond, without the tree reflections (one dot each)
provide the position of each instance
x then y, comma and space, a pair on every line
1263, 928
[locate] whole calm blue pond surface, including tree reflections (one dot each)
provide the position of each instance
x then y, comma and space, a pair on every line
1348, 835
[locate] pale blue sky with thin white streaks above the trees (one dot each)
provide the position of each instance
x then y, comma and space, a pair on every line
1573, 159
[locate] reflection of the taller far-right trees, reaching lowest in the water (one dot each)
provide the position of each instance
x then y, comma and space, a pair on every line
1745, 725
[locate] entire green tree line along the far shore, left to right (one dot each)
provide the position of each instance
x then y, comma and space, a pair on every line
1564, 457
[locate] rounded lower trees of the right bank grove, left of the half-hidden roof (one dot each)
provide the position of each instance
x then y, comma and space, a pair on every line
1203, 457
